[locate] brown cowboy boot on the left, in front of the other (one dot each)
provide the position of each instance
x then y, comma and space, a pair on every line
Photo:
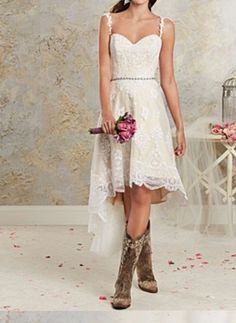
131, 249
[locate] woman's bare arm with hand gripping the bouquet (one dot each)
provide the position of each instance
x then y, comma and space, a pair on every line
105, 76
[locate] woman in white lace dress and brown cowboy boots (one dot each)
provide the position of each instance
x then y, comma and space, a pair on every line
133, 44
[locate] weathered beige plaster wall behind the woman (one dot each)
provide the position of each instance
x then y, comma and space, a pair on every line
49, 87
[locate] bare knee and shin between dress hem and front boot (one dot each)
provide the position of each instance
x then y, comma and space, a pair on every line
139, 211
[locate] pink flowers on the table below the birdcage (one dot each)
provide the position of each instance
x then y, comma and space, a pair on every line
226, 130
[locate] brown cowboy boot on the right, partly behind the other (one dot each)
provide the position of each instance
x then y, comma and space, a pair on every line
146, 279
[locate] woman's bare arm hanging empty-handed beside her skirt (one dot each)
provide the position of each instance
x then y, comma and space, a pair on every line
168, 83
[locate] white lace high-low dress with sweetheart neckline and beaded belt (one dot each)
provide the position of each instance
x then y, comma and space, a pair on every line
148, 158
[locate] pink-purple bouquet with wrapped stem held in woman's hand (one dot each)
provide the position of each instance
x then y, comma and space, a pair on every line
125, 127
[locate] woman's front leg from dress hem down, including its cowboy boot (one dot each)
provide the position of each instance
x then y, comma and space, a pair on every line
133, 241
